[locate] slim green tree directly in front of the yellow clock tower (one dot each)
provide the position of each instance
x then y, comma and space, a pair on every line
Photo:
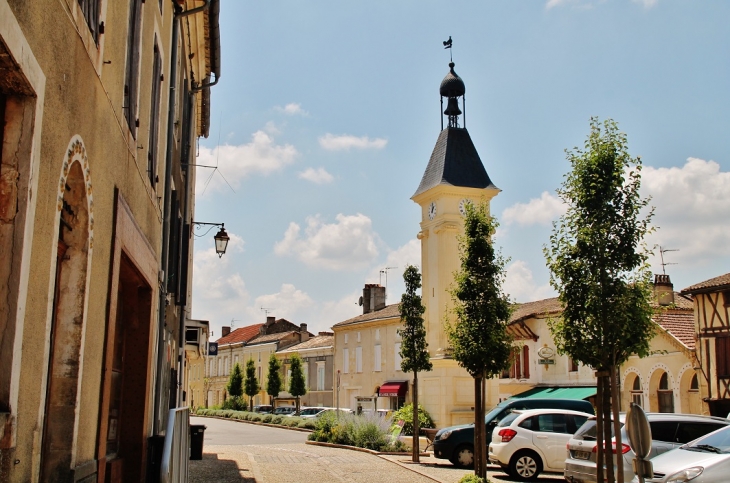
478, 337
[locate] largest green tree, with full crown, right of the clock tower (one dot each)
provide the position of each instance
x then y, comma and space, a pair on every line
599, 266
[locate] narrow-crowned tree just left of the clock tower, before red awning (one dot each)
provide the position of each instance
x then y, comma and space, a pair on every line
413, 348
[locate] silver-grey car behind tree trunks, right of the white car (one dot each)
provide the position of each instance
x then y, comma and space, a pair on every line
668, 431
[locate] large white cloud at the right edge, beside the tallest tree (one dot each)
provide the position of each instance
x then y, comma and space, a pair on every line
692, 204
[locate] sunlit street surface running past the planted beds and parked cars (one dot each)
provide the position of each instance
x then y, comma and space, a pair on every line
239, 452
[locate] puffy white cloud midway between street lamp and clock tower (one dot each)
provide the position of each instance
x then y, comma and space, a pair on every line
347, 244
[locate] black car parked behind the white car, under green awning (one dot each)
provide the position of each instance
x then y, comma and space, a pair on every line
456, 443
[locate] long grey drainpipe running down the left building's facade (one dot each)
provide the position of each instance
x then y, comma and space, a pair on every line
164, 255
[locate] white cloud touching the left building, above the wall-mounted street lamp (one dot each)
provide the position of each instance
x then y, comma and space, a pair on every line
261, 156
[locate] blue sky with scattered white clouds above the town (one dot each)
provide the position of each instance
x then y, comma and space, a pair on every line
327, 112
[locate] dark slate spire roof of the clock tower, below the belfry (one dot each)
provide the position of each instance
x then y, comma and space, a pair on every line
454, 162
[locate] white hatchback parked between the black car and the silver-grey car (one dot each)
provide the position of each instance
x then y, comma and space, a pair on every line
526, 443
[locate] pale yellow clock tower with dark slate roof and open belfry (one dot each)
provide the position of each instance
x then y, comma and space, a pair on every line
454, 177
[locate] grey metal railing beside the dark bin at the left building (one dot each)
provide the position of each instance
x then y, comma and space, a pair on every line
176, 452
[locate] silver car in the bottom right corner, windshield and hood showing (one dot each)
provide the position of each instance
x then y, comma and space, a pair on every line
704, 460
